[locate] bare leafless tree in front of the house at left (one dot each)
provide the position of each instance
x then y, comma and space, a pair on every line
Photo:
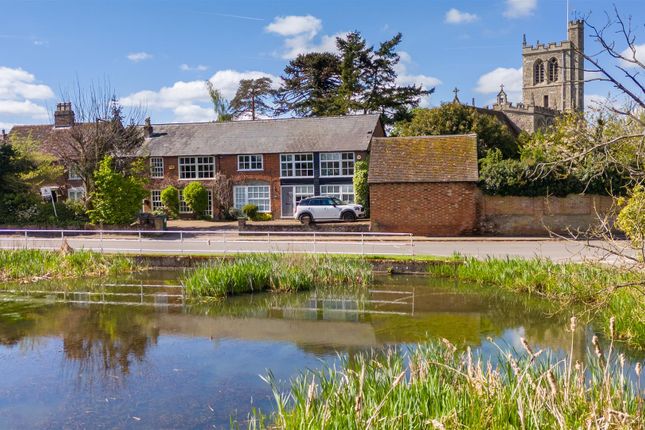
102, 128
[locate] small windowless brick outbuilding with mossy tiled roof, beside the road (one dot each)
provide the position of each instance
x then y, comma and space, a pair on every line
424, 185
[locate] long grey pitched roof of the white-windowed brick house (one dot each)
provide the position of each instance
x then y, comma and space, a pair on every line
341, 133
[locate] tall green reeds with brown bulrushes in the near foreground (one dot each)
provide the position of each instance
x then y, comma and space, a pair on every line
435, 386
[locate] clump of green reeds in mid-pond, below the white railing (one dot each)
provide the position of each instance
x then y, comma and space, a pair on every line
275, 272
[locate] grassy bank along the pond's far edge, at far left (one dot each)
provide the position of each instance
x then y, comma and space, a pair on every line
27, 265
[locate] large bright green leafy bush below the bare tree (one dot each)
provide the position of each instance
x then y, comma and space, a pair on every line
116, 198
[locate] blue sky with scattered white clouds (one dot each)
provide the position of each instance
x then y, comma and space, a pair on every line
156, 54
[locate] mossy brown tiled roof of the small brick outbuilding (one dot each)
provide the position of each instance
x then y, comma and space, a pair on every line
424, 159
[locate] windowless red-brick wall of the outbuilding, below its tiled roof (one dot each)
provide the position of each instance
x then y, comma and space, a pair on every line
430, 209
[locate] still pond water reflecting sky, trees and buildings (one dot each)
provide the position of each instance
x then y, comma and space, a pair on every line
84, 365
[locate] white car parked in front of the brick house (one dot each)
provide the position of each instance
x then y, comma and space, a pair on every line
323, 208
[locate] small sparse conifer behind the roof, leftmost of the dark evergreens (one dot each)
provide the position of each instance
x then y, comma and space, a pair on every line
252, 98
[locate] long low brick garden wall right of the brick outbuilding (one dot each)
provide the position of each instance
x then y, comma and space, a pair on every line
522, 216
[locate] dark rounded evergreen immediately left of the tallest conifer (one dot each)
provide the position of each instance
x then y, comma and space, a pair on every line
310, 85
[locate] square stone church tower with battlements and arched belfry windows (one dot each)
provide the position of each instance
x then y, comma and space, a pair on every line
553, 74
